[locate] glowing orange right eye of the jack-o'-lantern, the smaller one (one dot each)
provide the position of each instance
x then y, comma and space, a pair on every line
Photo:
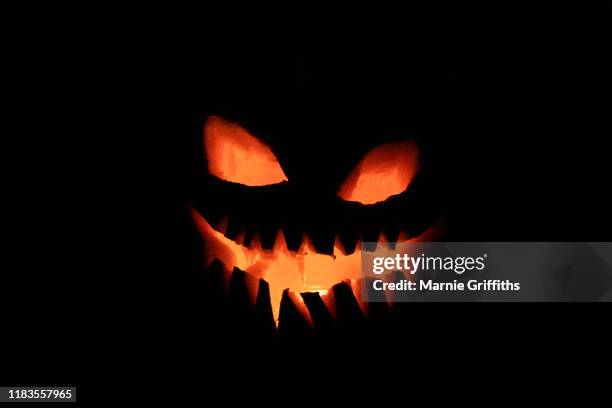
385, 171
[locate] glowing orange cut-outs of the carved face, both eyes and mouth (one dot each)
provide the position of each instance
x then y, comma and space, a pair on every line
236, 156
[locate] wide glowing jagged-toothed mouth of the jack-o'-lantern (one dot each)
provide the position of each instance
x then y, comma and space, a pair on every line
298, 271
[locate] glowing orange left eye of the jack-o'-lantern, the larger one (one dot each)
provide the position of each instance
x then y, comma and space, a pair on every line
237, 156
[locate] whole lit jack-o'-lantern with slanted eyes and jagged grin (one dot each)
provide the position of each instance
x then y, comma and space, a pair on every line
286, 194
